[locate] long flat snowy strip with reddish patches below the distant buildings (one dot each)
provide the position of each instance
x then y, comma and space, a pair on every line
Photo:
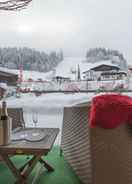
75, 85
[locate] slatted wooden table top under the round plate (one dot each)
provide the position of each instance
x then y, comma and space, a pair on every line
26, 147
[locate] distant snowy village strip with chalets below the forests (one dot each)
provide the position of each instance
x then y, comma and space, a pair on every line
100, 75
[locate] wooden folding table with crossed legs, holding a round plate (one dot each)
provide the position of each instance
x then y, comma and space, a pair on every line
37, 149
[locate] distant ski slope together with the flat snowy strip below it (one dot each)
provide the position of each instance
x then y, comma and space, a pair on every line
65, 69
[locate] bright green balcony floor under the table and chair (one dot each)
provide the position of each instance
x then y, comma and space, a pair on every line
63, 173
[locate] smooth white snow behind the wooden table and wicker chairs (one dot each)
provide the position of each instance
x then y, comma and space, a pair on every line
48, 106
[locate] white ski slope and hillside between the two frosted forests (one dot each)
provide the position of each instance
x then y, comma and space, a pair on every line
66, 68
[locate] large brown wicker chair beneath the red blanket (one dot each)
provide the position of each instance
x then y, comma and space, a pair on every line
98, 156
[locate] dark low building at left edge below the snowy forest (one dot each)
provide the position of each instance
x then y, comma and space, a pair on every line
9, 78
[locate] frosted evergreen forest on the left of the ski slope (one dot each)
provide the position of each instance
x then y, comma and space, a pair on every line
31, 59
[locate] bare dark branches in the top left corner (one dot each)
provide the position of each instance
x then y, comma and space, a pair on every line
12, 5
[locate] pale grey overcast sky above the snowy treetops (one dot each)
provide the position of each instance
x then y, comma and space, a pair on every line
73, 25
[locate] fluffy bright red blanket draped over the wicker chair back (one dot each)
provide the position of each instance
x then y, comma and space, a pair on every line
110, 110
